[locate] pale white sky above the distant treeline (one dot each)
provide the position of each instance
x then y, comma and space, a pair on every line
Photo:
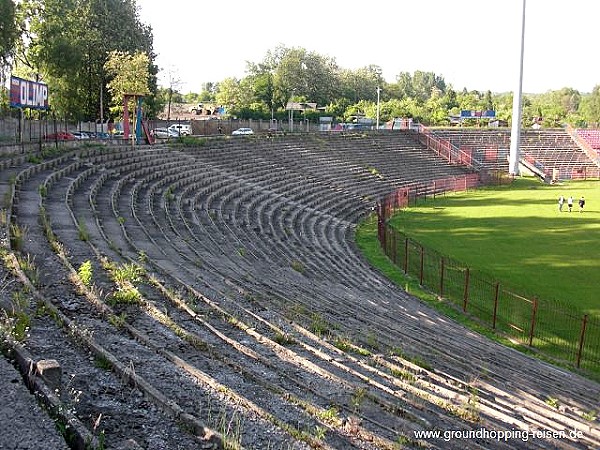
473, 44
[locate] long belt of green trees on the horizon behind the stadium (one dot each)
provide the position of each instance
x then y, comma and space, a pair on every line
296, 74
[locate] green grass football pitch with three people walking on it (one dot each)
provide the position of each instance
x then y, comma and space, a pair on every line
517, 235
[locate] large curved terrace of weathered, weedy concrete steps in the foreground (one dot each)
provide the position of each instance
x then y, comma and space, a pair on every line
229, 303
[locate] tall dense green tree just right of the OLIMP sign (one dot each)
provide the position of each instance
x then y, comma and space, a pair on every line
68, 45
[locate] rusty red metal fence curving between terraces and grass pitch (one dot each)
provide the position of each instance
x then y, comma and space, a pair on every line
554, 329
